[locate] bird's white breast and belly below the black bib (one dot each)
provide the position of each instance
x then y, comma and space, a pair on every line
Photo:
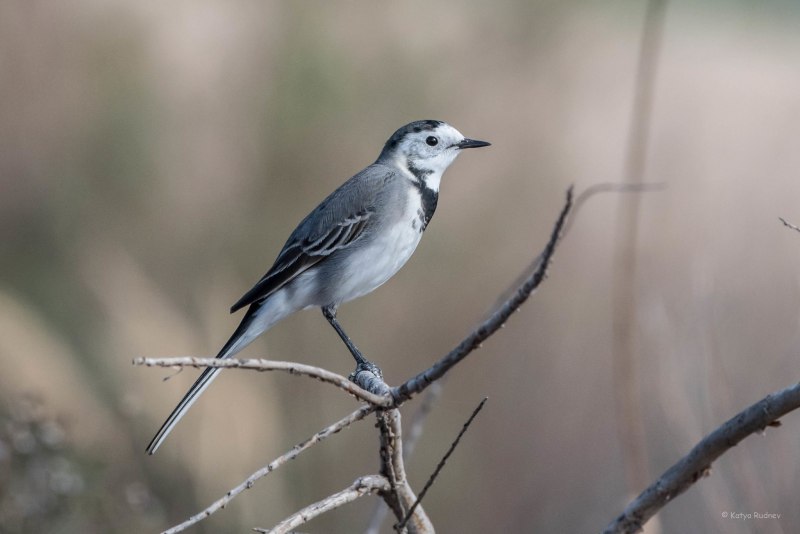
386, 254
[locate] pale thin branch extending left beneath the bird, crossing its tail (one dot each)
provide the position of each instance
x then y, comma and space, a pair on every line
271, 365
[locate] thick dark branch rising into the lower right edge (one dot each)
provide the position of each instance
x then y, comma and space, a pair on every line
697, 464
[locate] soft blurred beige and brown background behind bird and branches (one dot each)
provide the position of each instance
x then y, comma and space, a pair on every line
155, 156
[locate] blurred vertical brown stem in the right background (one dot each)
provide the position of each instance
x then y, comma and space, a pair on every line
630, 424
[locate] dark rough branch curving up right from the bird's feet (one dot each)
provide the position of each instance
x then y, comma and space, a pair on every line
496, 321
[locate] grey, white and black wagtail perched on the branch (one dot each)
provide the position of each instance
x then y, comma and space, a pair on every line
350, 244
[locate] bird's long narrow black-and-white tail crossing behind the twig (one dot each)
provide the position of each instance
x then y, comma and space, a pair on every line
239, 340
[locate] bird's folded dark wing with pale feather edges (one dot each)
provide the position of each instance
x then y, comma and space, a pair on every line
302, 252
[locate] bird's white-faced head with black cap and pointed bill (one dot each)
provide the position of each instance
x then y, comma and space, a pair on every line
426, 148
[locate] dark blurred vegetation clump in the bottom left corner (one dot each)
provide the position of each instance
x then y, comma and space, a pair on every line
48, 486
